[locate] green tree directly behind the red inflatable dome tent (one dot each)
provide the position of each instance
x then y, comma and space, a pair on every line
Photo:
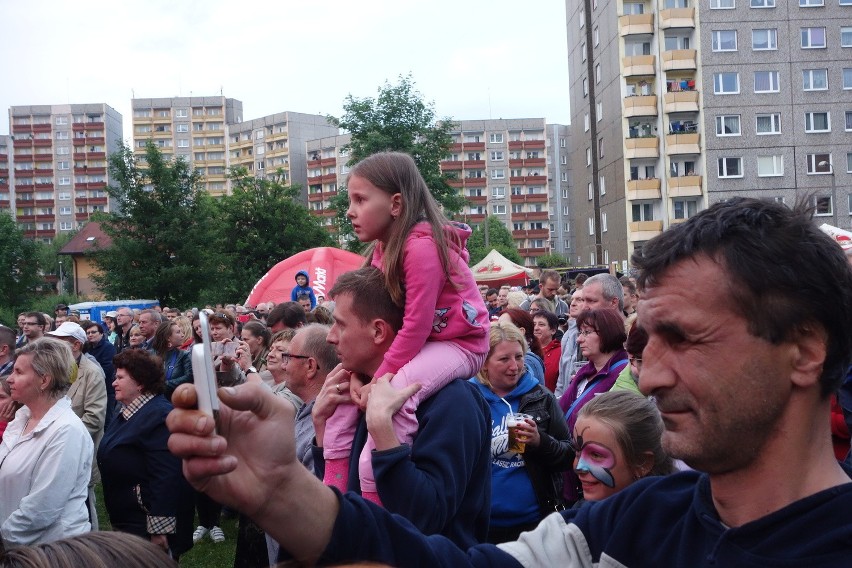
261, 224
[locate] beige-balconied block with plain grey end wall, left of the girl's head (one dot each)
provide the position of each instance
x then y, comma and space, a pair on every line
278, 142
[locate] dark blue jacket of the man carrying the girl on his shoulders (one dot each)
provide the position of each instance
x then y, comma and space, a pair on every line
442, 482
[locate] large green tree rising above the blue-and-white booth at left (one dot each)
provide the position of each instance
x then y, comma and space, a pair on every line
161, 231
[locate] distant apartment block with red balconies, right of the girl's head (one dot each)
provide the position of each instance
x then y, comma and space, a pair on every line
505, 169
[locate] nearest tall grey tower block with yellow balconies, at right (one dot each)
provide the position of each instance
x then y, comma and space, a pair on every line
680, 103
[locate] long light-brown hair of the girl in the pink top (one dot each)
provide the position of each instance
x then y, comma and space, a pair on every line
395, 172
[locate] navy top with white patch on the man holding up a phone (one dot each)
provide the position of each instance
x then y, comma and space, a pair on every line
660, 521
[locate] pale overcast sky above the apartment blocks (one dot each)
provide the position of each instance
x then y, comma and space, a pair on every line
474, 59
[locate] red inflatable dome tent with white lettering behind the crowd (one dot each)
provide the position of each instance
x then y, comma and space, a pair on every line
323, 266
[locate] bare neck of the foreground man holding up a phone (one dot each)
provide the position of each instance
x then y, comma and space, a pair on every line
791, 466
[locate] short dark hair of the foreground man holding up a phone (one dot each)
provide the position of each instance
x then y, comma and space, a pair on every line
785, 275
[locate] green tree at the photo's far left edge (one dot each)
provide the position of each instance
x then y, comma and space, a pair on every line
19, 268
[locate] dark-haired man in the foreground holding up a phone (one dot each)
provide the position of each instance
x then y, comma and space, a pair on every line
741, 359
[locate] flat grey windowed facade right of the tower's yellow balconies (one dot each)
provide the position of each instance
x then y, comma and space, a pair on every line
778, 101
